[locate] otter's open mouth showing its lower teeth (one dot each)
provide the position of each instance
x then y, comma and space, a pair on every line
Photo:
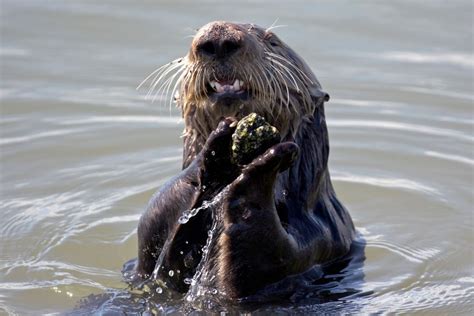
227, 91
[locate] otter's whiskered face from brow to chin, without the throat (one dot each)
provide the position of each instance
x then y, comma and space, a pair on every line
236, 69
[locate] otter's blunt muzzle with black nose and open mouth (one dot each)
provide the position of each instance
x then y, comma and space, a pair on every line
218, 50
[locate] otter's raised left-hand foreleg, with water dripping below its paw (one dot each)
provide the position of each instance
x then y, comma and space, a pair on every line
209, 172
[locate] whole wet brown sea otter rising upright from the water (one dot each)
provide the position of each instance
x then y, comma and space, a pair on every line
273, 217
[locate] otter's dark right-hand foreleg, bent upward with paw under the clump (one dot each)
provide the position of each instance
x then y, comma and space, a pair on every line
254, 248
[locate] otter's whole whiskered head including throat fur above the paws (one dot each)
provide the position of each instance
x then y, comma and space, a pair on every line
235, 69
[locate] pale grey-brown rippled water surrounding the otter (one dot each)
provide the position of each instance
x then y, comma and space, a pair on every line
82, 151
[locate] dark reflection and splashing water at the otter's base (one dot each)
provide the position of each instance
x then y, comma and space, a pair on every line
333, 288
